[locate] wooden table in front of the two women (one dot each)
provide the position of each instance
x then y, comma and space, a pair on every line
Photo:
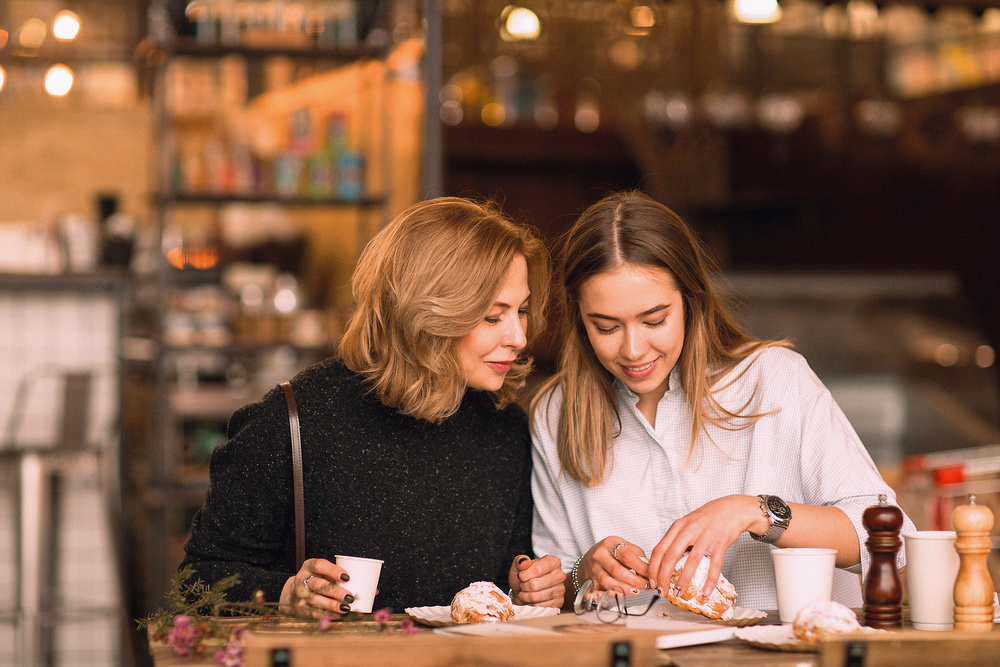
368, 643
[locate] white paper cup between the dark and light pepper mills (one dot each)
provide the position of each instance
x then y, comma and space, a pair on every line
931, 569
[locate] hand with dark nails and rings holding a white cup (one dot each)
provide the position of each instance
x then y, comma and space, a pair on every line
317, 590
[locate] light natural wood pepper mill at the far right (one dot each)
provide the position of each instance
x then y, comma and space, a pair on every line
973, 586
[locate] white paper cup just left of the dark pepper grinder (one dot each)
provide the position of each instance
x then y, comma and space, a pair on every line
802, 576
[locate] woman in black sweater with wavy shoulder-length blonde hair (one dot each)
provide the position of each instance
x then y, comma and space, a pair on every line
413, 451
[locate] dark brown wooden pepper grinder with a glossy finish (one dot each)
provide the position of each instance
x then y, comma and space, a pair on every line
883, 588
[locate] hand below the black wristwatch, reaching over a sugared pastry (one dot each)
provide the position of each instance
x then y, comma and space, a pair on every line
710, 529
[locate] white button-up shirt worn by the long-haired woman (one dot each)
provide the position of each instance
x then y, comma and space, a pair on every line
804, 452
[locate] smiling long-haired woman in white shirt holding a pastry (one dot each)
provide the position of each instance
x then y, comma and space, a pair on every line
667, 428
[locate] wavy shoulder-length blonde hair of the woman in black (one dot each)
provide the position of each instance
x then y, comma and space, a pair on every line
425, 281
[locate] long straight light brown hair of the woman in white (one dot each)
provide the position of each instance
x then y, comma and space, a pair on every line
632, 228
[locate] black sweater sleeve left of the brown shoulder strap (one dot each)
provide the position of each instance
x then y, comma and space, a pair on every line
245, 524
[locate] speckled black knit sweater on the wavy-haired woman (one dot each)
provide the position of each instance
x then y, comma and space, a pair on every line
442, 504
